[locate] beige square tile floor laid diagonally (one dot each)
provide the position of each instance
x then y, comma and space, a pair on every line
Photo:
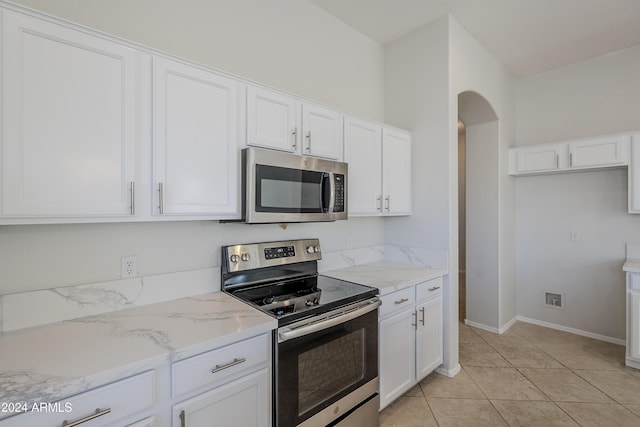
529, 376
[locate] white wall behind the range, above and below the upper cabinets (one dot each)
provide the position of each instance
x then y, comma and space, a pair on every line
288, 44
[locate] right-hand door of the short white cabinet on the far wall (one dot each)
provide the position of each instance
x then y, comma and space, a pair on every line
610, 150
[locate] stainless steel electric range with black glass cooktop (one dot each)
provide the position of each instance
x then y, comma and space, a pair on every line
326, 345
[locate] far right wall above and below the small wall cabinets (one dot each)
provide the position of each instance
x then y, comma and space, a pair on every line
593, 97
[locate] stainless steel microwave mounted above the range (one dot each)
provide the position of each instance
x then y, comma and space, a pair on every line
282, 187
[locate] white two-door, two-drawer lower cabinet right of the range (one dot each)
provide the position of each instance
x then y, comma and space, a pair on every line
410, 338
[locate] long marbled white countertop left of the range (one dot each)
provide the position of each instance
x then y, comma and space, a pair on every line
47, 363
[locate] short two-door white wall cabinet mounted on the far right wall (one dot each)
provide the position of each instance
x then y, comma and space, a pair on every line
600, 152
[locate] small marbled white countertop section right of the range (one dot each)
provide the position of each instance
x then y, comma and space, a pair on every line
386, 276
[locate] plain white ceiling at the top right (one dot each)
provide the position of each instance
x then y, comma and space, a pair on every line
526, 36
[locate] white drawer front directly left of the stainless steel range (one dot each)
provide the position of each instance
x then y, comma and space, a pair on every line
213, 366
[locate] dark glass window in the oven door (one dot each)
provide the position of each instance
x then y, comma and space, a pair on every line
325, 371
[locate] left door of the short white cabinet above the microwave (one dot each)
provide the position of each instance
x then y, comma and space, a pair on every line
271, 120
